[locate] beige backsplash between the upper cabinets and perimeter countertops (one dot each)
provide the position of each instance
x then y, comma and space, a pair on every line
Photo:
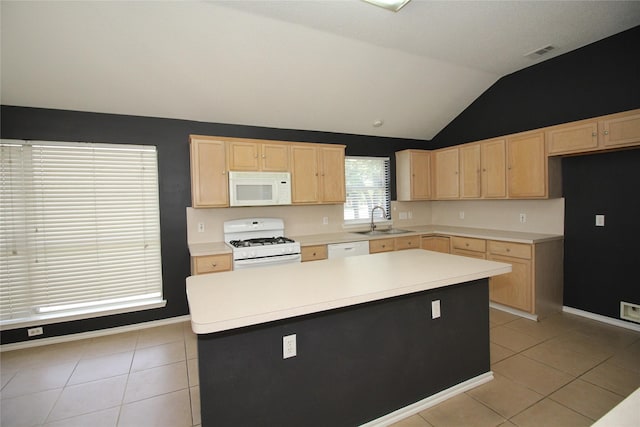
542, 216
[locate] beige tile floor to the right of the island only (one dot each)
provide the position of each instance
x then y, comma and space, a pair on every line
562, 371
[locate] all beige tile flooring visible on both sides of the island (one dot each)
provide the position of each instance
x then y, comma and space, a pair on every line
563, 371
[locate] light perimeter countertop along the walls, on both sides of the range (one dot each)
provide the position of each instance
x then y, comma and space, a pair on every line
215, 248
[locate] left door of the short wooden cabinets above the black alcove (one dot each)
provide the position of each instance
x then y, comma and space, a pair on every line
572, 138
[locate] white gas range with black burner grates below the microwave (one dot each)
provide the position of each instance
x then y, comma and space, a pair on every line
259, 242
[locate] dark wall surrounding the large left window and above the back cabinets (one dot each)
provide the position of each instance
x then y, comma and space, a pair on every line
171, 138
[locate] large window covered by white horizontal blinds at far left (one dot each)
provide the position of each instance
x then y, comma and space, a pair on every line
79, 231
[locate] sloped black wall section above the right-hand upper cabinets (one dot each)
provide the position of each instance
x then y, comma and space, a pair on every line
598, 79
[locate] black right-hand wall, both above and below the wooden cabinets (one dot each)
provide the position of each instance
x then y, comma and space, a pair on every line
598, 79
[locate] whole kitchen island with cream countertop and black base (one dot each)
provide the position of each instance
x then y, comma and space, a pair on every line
368, 347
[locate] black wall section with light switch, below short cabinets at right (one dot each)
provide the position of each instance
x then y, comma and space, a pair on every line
601, 263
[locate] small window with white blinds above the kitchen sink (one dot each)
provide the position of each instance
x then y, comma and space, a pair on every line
367, 184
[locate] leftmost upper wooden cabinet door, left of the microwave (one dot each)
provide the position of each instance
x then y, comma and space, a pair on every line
209, 183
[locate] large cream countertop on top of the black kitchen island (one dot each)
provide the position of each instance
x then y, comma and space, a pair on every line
235, 299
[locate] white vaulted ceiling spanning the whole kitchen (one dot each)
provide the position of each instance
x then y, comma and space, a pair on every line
326, 65
